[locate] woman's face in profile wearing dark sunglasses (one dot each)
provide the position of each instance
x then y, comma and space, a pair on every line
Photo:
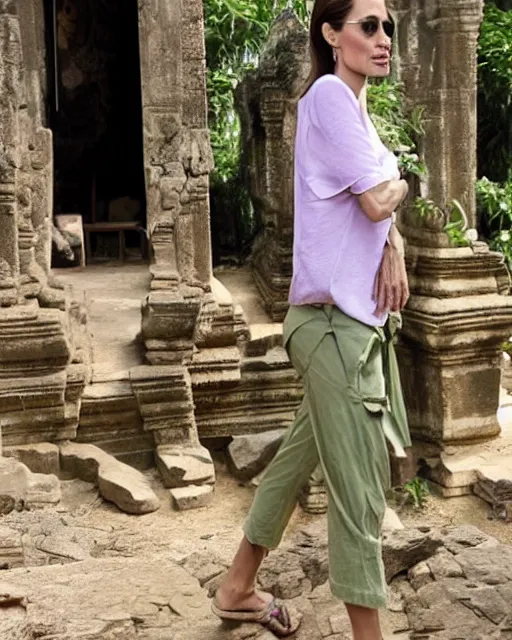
359, 49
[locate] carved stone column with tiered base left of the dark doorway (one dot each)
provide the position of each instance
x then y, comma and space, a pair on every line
42, 366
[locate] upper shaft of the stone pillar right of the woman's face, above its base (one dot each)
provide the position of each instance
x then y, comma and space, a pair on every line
437, 60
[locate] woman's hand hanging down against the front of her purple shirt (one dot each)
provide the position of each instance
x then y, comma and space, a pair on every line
391, 290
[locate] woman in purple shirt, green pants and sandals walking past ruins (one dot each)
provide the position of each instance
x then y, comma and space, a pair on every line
348, 274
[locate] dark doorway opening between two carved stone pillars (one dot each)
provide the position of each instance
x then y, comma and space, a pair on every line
95, 112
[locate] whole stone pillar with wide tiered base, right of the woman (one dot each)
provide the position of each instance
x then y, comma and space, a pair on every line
457, 317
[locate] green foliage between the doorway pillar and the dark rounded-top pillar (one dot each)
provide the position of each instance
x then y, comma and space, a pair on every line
235, 31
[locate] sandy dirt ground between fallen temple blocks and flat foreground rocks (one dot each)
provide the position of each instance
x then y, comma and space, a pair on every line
218, 527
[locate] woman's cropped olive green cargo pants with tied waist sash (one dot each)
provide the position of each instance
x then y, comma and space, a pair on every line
352, 404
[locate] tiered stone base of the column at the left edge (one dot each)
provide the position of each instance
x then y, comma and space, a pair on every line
43, 370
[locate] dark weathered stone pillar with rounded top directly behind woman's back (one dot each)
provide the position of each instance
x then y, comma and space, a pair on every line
267, 101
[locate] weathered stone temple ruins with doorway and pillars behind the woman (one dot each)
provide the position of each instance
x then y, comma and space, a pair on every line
103, 115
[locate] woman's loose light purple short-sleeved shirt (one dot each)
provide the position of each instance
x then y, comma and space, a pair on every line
337, 249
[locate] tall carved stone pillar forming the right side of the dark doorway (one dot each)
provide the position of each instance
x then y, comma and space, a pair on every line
178, 317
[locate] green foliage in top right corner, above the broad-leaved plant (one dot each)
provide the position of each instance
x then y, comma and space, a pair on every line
495, 95
